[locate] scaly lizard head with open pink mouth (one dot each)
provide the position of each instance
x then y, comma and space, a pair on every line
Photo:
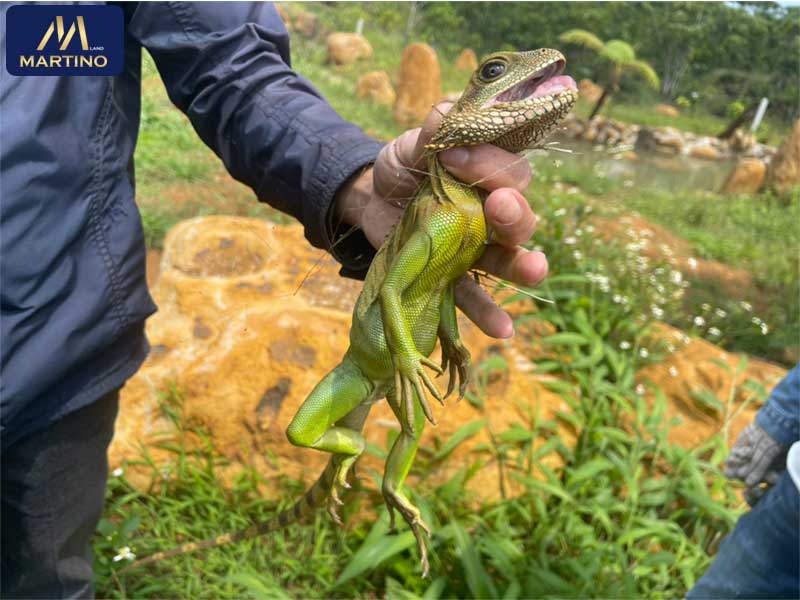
513, 100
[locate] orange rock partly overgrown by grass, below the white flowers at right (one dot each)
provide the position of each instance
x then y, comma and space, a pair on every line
698, 367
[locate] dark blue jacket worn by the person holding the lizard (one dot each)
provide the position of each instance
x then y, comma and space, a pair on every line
72, 257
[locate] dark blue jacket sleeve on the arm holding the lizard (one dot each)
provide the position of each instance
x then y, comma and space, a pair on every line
227, 66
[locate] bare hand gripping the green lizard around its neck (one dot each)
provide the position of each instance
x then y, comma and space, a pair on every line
374, 201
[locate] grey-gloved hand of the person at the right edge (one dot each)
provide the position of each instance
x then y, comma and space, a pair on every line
755, 458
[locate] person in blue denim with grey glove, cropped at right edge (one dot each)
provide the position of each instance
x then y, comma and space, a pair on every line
761, 556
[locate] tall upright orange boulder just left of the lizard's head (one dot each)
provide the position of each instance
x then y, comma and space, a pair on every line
419, 85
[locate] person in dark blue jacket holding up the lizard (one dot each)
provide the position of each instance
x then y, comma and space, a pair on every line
74, 296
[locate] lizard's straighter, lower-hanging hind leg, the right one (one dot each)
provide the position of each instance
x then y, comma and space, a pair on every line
398, 464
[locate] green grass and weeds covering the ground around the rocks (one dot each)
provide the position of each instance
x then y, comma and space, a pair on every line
628, 514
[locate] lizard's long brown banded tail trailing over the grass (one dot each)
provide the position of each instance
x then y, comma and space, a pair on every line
310, 501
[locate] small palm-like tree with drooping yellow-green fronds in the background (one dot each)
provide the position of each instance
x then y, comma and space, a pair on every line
621, 56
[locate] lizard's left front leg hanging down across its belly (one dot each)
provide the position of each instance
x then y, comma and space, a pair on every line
408, 361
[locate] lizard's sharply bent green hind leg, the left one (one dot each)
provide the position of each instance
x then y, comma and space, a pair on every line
321, 423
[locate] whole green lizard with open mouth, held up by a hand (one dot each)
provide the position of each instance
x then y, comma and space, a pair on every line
512, 101
